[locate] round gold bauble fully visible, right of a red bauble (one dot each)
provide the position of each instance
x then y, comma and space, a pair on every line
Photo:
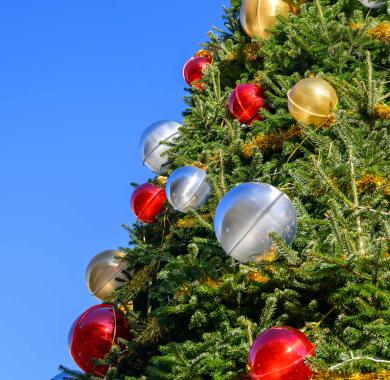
312, 100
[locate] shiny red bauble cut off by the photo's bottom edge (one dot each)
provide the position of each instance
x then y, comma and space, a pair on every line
278, 354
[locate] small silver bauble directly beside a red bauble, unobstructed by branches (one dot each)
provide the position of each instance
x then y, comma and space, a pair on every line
188, 188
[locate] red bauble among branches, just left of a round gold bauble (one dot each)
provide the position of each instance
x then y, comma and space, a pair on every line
245, 102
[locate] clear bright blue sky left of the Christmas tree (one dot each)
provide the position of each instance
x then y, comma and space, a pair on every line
79, 82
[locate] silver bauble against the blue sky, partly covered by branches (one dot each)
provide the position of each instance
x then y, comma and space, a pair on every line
153, 149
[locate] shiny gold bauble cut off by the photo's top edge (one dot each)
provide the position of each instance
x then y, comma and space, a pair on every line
257, 16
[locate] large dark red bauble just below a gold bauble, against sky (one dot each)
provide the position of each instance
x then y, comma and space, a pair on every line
93, 334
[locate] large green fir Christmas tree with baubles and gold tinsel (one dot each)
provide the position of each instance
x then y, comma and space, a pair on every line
194, 310
